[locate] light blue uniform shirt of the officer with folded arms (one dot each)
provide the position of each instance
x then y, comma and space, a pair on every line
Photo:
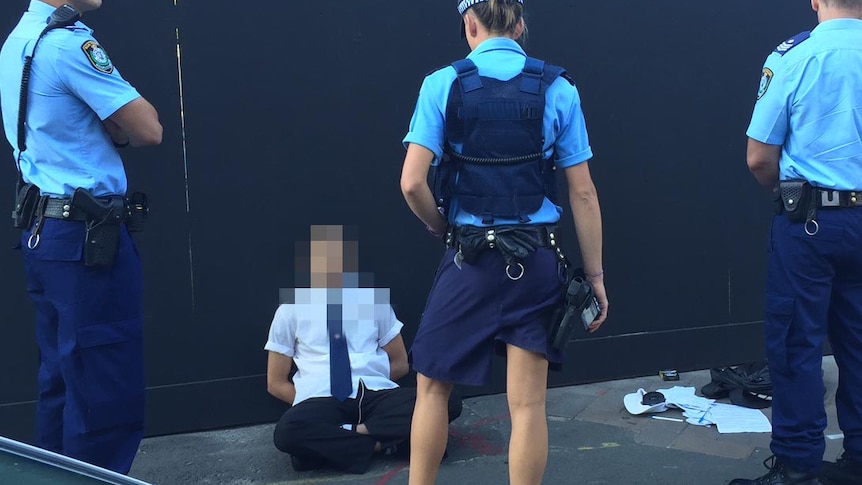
73, 88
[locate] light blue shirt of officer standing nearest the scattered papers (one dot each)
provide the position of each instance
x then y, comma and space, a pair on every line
810, 102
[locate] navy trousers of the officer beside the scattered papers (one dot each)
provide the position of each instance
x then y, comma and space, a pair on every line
814, 289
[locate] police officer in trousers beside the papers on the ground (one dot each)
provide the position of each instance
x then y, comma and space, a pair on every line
806, 137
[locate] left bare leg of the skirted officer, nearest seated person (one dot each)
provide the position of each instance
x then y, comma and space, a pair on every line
430, 429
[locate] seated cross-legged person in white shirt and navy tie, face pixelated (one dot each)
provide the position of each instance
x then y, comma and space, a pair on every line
348, 350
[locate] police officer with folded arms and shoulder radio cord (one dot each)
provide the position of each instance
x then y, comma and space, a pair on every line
77, 112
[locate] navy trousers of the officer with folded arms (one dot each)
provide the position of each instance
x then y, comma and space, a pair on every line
89, 325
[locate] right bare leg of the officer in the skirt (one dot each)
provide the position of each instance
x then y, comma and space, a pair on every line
526, 388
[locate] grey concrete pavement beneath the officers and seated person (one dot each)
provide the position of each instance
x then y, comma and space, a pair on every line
593, 440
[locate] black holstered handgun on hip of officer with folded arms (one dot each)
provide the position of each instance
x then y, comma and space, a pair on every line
104, 222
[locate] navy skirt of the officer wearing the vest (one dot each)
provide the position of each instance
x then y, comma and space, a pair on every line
476, 309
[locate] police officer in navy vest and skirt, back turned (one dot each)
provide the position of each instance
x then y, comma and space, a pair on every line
502, 122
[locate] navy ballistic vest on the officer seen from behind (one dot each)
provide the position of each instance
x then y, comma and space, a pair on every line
501, 171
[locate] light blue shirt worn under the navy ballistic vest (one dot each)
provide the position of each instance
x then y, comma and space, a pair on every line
501, 58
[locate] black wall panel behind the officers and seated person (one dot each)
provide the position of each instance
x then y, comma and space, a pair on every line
292, 114
